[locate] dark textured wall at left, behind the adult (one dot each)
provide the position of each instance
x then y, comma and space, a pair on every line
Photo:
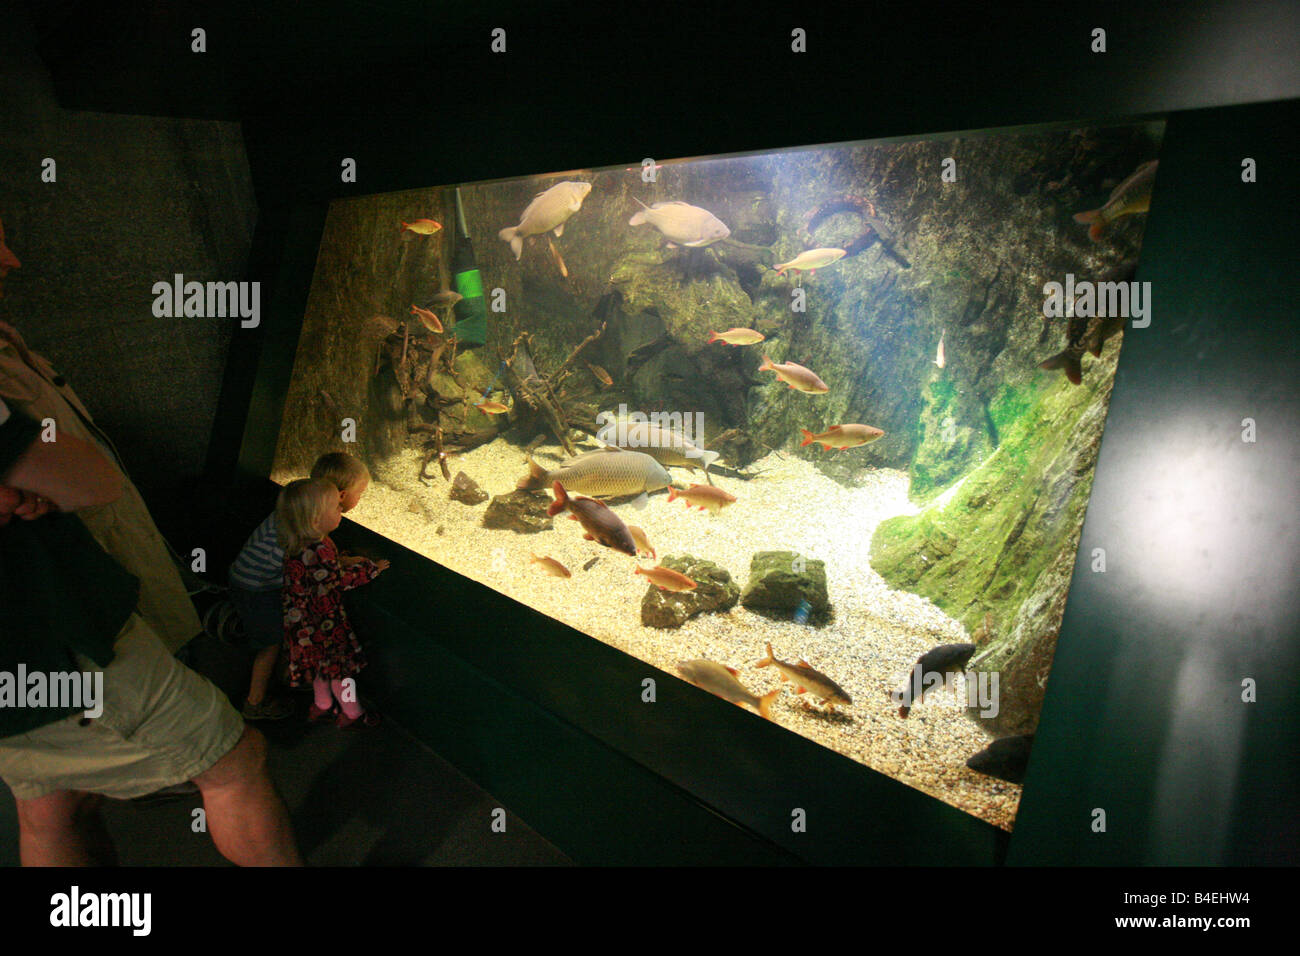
137, 200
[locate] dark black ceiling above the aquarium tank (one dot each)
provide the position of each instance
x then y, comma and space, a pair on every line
401, 86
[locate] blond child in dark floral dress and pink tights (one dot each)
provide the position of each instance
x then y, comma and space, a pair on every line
319, 641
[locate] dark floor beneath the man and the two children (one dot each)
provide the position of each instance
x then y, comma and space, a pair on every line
357, 798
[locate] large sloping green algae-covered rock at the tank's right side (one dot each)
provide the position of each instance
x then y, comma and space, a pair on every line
999, 552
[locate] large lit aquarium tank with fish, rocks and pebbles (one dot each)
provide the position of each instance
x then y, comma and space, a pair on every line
812, 430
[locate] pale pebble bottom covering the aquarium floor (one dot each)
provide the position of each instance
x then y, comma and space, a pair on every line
869, 650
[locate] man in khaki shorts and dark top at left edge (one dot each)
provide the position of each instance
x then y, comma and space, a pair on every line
97, 590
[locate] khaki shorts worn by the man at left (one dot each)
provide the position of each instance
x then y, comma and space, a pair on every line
162, 725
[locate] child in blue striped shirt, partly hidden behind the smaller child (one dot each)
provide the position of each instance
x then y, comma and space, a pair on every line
258, 578
